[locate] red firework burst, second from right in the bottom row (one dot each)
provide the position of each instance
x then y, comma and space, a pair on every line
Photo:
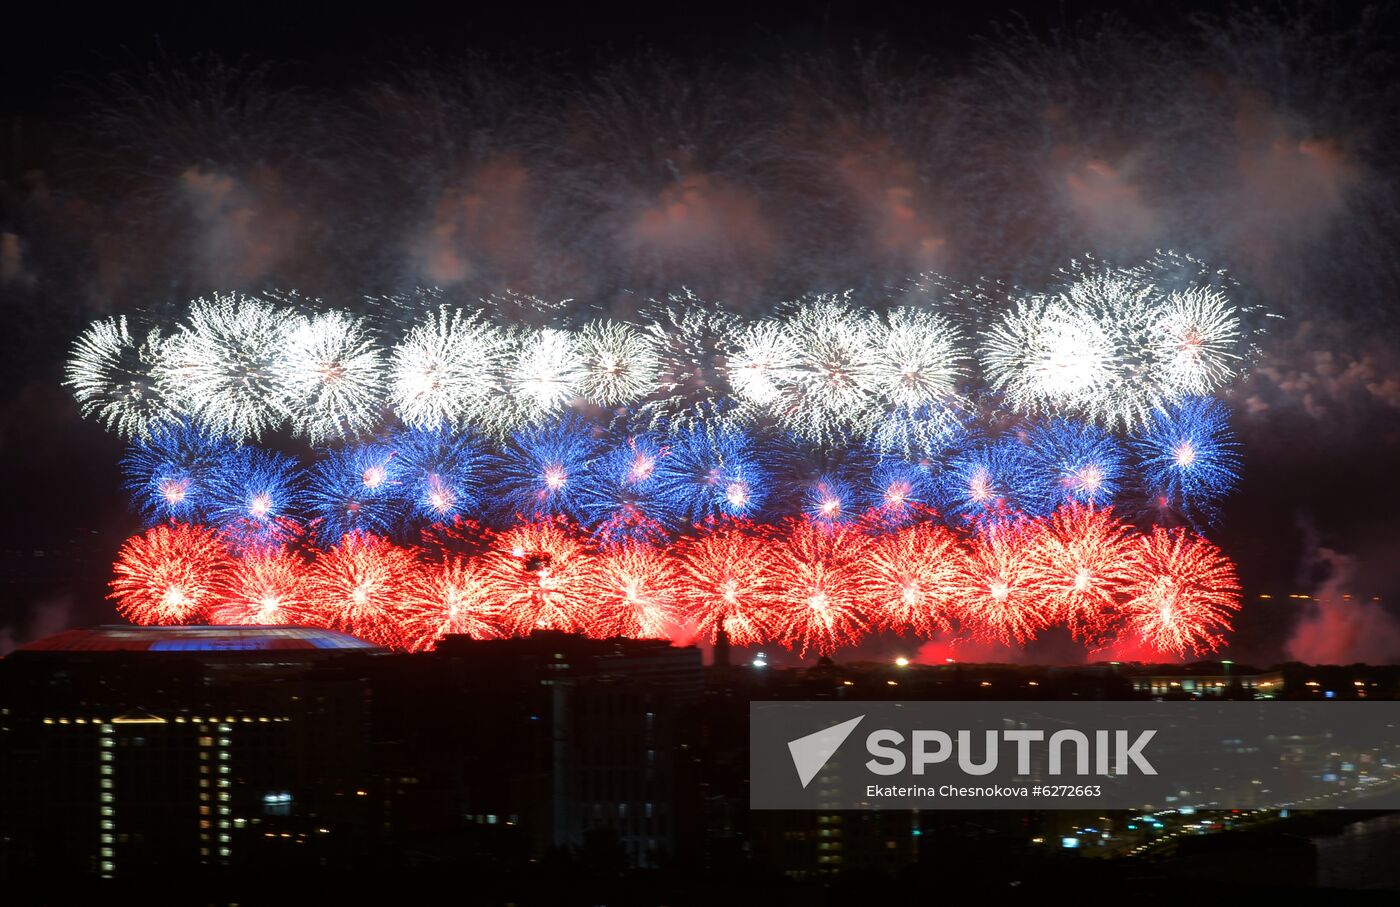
1081, 563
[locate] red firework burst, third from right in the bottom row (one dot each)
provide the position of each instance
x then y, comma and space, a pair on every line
996, 586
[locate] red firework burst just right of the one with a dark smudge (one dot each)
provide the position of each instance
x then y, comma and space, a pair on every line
633, 589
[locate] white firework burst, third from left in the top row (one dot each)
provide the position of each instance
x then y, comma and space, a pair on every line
332, 376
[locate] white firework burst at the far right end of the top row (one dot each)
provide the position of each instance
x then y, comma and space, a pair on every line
1195, 337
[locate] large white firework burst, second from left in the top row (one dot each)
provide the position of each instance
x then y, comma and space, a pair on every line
222, 366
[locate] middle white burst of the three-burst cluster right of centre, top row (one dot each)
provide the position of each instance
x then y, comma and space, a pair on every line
835, 390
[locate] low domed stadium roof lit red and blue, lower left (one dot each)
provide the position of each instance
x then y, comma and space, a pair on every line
127, 639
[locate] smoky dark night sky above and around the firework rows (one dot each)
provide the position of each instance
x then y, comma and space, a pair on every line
850, 146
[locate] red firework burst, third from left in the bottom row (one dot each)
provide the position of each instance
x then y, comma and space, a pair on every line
359, 586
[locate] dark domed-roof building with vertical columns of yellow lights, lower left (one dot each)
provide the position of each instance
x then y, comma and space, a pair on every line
129, 750
